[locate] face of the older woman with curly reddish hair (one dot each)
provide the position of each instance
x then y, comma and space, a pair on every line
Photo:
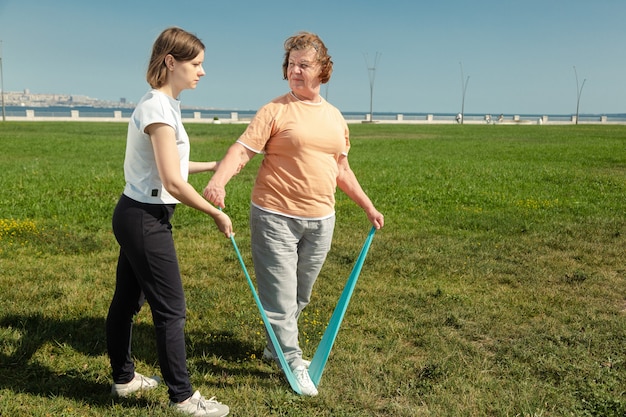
303, 71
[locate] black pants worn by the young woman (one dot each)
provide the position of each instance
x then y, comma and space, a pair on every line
147, 269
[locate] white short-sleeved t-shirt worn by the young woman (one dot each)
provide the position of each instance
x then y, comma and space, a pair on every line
143, 183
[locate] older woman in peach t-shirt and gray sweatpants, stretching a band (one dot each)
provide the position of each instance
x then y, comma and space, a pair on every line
305, 142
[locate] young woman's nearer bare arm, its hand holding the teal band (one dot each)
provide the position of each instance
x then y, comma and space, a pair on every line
168, 163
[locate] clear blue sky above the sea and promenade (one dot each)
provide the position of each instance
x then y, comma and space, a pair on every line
519, 56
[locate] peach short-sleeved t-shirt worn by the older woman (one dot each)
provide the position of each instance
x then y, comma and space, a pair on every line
301, 143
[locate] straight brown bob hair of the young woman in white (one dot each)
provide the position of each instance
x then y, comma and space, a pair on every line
179, 43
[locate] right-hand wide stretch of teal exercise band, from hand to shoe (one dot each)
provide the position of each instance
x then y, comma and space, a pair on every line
328, 339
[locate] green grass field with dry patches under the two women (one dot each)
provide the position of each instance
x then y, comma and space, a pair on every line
496, 288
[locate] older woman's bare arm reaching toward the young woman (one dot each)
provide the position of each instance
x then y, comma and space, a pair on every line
236, 158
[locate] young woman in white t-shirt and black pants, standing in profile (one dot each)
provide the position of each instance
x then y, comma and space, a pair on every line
156, 168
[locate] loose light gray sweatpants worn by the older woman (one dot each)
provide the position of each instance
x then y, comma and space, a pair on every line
288, 255
